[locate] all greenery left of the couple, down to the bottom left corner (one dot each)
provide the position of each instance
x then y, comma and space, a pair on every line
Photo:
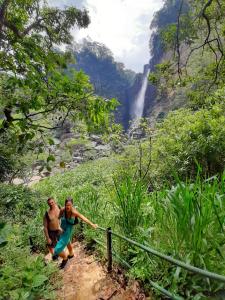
23, 275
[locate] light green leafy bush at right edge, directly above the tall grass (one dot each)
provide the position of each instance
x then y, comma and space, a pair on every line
188, 138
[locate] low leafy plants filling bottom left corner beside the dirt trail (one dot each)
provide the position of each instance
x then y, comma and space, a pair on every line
22, 275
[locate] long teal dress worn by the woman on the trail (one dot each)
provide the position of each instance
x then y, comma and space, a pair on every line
67, 226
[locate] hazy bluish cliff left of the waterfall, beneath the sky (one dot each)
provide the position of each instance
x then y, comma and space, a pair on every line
109, 78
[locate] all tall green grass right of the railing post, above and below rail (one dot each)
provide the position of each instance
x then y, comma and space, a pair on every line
185, 221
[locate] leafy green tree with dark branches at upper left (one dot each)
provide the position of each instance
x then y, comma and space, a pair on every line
33, 82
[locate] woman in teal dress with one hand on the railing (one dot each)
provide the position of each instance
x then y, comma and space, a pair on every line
68, 220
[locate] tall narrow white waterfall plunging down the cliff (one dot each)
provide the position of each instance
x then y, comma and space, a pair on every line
138, 107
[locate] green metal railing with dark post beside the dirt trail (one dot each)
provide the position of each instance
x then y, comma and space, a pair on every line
170, 259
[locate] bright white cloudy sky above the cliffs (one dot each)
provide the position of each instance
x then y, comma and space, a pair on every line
122, 25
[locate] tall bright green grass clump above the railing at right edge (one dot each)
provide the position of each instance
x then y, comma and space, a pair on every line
192, 215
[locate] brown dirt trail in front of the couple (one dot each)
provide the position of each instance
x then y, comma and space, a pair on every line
84, 278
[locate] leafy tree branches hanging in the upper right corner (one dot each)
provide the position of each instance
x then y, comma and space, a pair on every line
195, 40
